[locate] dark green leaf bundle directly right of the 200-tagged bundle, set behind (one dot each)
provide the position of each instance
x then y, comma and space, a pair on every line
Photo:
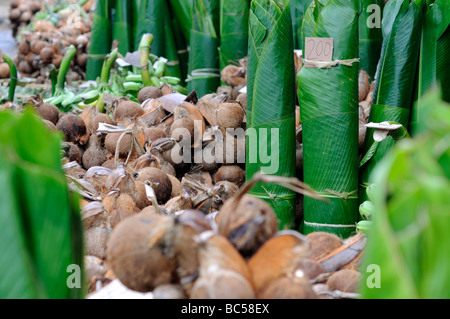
370, 37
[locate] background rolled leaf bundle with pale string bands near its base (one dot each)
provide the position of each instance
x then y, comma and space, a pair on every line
204, 75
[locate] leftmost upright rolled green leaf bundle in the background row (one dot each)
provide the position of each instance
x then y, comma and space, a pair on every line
101, 39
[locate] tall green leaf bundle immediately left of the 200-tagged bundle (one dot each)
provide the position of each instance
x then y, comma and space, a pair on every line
271, 103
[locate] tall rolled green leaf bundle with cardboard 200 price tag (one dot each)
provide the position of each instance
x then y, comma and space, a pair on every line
329, 114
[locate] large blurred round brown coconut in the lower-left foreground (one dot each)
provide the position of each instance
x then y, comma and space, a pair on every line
136, 252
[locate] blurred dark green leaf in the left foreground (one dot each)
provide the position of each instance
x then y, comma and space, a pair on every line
40, 224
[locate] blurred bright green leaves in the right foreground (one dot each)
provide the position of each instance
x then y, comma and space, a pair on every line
408, 240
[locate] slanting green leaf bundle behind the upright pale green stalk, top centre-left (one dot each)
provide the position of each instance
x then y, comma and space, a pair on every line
155, 19
